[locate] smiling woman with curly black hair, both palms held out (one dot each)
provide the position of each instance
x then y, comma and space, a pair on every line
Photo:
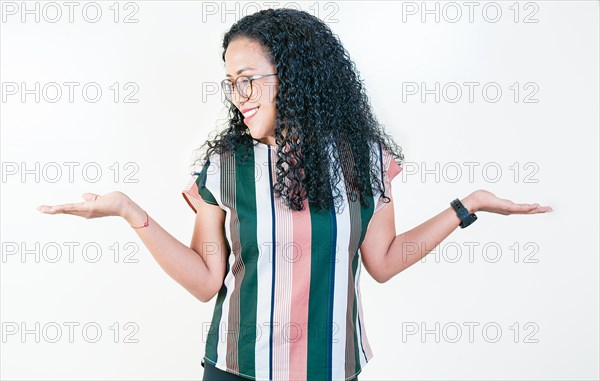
291, 199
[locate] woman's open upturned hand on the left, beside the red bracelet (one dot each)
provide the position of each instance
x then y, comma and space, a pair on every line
94, 206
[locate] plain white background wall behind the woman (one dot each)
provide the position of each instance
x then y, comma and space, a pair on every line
174, 52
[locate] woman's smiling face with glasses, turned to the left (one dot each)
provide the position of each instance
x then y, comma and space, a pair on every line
245, 57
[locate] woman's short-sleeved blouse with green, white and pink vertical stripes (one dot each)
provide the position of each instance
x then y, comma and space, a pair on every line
285, 311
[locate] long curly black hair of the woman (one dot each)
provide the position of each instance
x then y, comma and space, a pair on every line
321, 104
